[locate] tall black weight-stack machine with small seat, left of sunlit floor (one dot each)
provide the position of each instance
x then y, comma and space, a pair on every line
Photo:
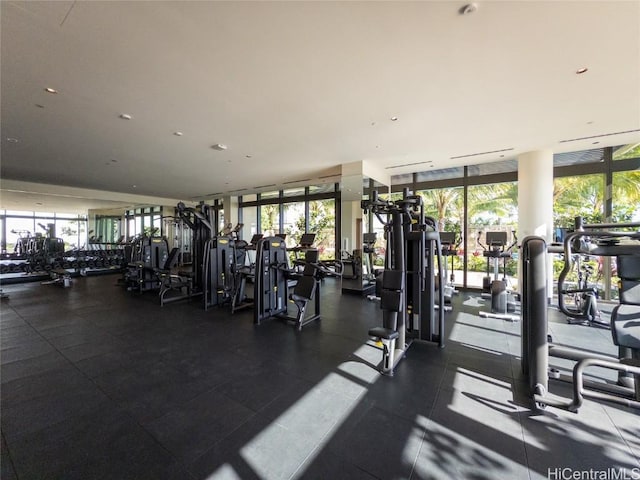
408, 293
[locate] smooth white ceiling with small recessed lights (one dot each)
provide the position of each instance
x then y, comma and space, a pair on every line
304, 87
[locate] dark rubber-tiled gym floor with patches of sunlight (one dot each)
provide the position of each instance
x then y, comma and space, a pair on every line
98, 383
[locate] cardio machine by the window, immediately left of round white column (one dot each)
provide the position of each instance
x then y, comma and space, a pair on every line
503, 302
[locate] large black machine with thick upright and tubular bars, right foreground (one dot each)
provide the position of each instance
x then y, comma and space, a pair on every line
625, 327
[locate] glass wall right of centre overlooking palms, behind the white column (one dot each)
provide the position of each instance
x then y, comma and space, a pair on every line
491, 199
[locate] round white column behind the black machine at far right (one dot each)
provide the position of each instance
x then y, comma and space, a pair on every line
535, 199
